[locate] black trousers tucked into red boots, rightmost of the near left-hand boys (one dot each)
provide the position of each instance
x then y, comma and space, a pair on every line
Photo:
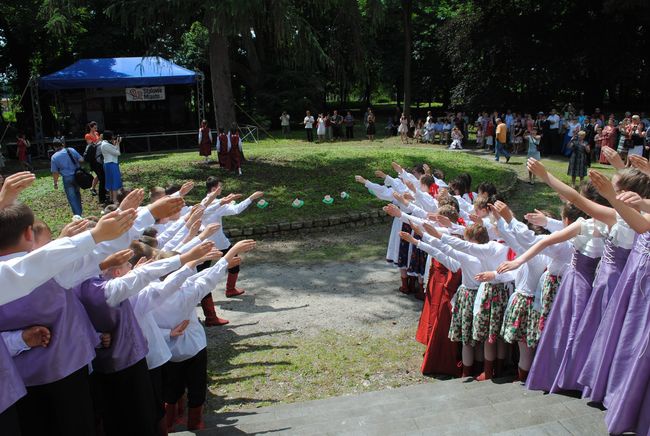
190, 374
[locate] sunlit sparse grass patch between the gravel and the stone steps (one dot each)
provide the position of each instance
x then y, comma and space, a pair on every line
292, 367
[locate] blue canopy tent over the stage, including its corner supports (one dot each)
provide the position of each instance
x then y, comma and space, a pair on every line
106, 78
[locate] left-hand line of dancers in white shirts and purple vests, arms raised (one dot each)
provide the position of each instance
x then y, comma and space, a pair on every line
99, 327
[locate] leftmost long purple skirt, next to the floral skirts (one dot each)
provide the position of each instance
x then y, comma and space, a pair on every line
560, 328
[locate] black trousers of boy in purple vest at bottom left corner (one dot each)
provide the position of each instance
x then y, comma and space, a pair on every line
61, 408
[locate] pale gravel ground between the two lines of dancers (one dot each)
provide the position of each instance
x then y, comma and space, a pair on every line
343, 296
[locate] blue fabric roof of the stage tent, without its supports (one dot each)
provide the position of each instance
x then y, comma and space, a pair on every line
119, 73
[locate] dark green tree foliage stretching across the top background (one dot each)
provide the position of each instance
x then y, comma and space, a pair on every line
267, 56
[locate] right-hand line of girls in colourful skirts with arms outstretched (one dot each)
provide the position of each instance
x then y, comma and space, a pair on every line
567, 299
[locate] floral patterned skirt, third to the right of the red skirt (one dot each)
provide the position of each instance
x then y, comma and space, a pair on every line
521, 320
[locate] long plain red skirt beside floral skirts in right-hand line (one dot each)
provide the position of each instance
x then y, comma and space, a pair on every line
441, 355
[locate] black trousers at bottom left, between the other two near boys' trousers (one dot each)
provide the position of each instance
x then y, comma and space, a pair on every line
125, 401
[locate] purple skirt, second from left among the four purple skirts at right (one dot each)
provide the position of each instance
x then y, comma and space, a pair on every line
609, 270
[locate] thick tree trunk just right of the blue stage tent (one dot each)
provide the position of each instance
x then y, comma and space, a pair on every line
221, 80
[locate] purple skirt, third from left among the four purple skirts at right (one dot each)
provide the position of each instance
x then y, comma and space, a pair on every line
595, 373
